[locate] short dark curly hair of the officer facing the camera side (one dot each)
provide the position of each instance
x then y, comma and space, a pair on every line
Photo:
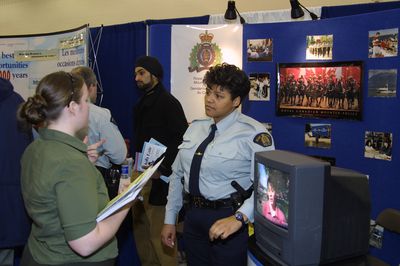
230, 78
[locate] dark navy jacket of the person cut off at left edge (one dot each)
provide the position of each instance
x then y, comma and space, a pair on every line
14, 222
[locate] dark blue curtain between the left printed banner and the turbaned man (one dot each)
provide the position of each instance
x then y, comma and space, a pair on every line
119, 46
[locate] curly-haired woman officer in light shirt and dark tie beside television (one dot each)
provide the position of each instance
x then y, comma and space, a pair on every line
218, 197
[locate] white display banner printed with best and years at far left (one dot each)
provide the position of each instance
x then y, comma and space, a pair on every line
24, 60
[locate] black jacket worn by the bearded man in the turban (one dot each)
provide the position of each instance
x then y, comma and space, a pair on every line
159, 115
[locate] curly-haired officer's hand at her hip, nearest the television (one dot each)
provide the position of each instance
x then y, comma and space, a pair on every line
223, 228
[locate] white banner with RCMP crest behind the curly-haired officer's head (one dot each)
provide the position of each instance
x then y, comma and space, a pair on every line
194, 49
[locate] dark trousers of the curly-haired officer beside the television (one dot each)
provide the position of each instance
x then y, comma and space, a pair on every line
201, 251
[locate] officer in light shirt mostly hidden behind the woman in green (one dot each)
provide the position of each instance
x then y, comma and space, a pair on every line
102, 126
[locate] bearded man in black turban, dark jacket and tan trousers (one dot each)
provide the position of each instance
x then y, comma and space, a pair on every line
158, 115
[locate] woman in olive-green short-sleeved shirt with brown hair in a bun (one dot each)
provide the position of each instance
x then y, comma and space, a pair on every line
62, 190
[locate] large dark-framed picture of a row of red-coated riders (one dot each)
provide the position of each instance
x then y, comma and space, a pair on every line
320, 90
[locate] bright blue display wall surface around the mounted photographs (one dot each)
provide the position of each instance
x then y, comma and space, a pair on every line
379, 114
